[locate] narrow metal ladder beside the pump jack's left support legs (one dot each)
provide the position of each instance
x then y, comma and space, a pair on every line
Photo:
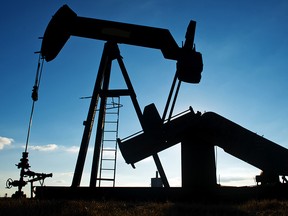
108, 155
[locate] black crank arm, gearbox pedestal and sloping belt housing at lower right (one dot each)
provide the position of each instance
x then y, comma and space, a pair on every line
198, 135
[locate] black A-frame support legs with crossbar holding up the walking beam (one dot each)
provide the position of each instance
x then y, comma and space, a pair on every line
101, 89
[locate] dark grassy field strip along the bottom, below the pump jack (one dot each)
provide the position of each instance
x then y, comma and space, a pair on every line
10, 207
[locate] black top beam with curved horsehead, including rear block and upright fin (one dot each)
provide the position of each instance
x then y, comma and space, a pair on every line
66, 23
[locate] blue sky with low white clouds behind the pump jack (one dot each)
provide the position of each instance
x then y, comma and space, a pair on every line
244, 46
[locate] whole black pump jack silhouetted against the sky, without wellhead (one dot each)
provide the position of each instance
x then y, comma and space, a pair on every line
198, 133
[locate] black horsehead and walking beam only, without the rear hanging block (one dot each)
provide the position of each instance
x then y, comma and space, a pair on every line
65, 23
